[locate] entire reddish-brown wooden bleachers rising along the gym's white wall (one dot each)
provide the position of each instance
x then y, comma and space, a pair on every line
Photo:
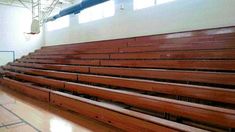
171, 82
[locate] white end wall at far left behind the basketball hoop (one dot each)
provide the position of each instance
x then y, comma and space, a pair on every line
14, 21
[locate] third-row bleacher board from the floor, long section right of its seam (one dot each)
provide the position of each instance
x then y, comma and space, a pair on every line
201, 92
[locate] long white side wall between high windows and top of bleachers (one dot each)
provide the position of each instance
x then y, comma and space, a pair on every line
180, 15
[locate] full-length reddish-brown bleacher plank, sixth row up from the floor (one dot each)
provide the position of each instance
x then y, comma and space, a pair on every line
199, 54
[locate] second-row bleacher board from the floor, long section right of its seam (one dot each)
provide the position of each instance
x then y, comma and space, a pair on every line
214, 115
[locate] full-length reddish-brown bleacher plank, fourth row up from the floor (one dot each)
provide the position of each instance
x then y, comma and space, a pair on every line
177, 75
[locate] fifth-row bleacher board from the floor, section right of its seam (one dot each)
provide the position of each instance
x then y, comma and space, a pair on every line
174, 64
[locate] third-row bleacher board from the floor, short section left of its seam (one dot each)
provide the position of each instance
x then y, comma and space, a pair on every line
47, 73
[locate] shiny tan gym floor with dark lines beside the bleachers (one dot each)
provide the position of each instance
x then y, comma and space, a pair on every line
19, 113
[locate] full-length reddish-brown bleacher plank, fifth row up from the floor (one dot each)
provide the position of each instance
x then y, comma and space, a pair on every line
165, 64
